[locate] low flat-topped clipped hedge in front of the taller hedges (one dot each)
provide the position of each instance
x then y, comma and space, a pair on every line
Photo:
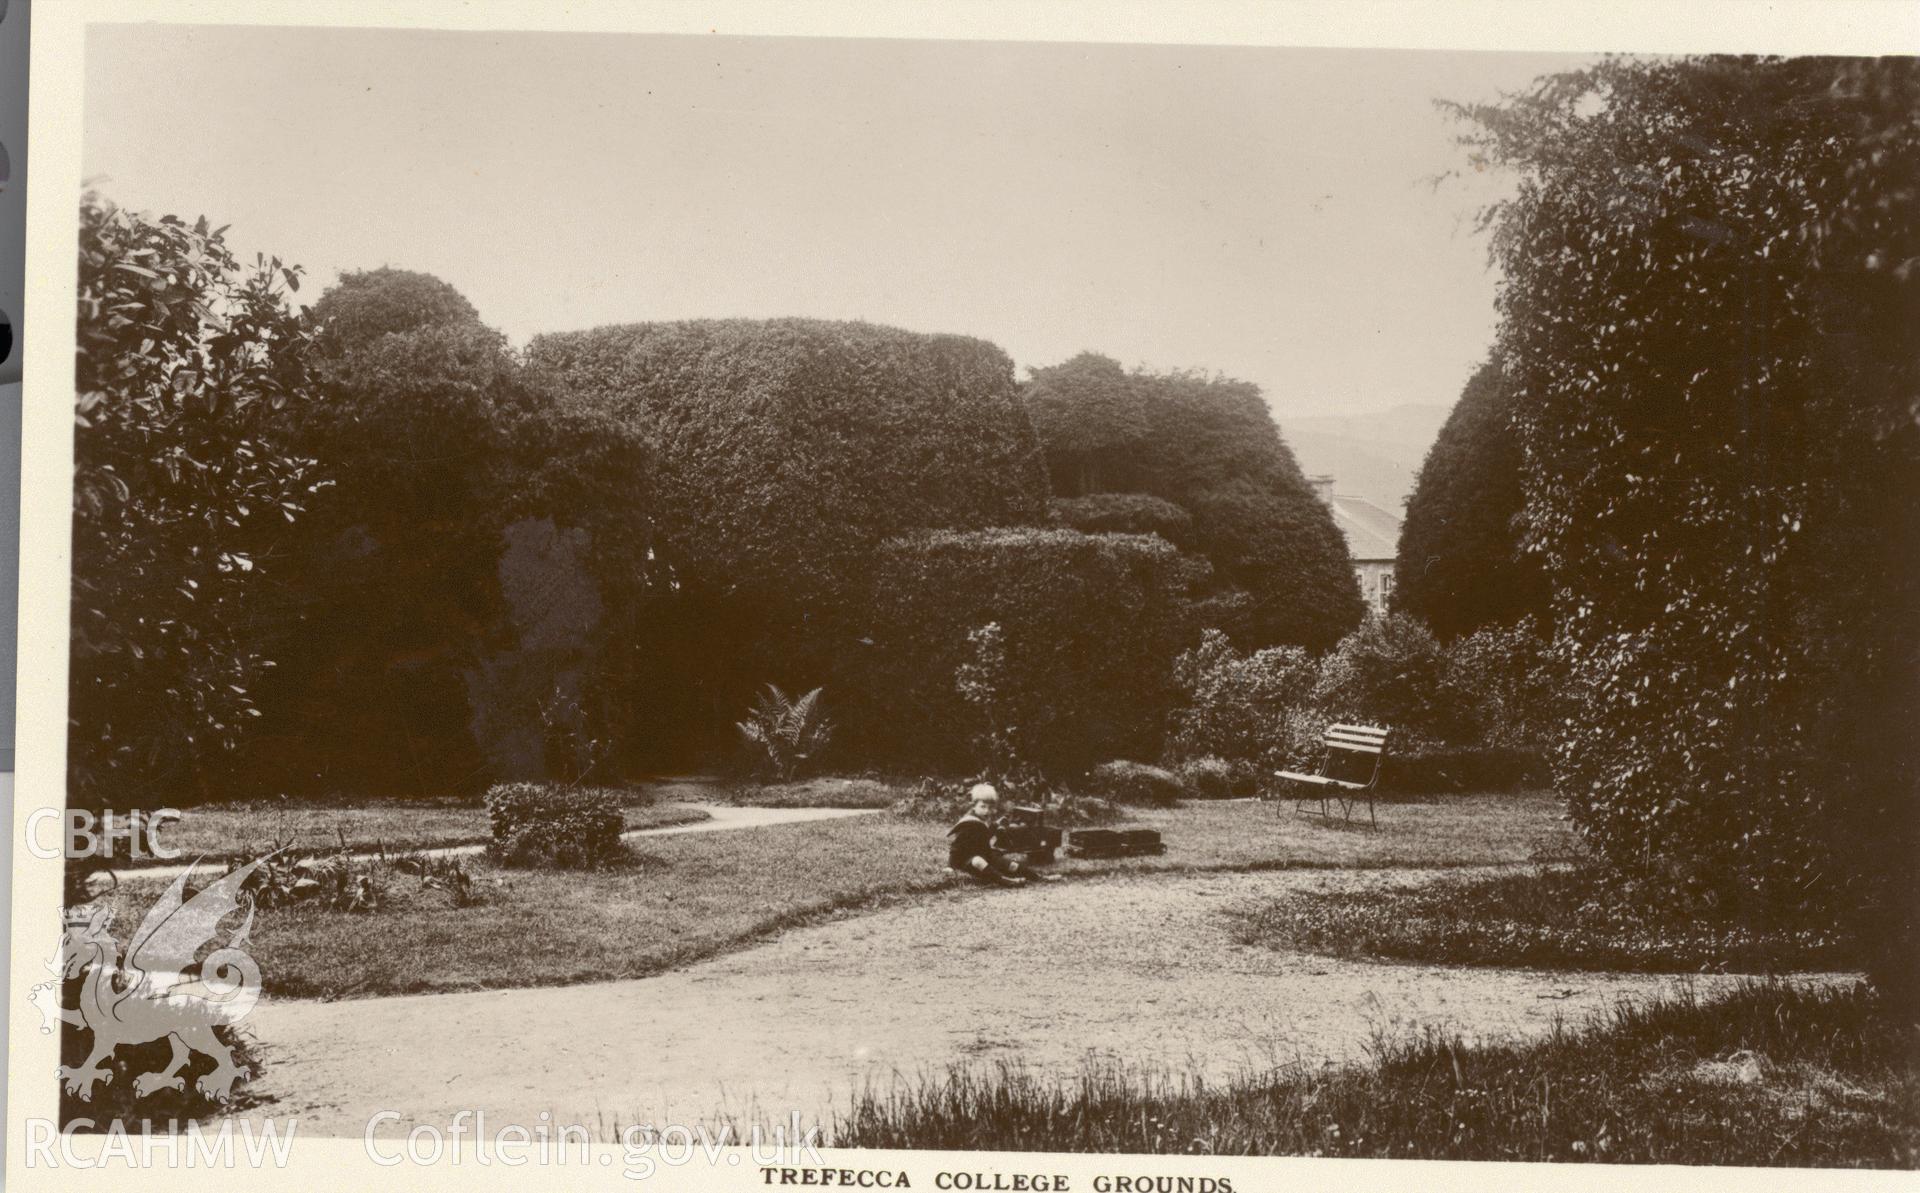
1092, 625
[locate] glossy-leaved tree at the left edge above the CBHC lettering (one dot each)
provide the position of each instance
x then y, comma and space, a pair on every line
183, 495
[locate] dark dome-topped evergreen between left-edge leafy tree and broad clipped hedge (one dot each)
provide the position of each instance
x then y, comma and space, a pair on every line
391, 596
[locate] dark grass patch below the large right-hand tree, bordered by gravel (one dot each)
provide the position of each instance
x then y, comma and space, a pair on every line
1541, 919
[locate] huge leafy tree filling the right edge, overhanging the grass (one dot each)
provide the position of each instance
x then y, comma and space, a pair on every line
1710, 322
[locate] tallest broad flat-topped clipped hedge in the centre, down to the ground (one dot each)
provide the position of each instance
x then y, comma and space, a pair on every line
784, 454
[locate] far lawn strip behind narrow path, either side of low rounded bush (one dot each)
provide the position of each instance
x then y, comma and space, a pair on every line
364, 827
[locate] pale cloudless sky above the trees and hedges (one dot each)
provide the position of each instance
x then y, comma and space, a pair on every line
1259, 212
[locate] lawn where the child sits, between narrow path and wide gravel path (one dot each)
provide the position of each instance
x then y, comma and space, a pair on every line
702, 894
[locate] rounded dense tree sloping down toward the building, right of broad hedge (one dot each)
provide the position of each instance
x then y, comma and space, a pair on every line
1207, 445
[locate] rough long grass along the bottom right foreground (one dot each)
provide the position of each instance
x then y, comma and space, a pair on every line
1765, 1077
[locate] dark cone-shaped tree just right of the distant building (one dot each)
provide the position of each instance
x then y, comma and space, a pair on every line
1460, 560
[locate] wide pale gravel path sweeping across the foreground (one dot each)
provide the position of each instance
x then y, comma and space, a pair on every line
1124, 969
